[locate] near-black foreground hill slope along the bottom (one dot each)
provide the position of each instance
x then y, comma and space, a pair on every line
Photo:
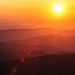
43, 65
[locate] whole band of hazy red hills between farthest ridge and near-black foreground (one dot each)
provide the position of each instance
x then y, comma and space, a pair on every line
41, 45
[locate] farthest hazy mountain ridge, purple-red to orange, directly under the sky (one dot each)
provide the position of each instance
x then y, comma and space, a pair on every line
22, 34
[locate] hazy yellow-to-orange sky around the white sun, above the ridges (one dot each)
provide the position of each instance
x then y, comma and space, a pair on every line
36, 13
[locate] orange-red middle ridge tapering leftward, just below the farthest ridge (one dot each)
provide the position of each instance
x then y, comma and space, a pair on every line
63, 42
